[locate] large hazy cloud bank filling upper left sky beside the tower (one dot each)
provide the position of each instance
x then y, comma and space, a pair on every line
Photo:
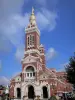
10, 25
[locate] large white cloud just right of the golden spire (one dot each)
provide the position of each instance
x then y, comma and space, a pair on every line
46, 19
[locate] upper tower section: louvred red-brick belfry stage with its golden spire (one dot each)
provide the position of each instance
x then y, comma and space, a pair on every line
32, 33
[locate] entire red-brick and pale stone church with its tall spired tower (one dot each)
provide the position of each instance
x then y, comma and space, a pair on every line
36, 79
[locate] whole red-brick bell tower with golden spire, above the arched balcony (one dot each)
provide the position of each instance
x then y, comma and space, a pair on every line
34, 52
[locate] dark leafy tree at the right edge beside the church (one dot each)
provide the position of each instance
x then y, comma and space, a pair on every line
70, 70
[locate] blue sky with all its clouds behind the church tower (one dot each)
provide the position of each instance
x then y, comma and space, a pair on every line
56, 21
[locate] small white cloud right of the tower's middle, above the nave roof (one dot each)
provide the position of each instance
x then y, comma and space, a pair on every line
51, 53
